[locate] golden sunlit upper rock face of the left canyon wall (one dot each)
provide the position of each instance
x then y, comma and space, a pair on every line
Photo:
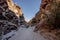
14, 7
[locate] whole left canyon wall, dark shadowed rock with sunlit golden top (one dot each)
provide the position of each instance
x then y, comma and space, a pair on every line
9, 16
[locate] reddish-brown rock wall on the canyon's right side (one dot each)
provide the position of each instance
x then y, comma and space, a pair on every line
47, 19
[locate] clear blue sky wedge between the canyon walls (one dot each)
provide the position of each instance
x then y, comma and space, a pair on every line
29, 7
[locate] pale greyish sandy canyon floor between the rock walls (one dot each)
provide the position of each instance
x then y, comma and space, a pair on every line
26, 34
